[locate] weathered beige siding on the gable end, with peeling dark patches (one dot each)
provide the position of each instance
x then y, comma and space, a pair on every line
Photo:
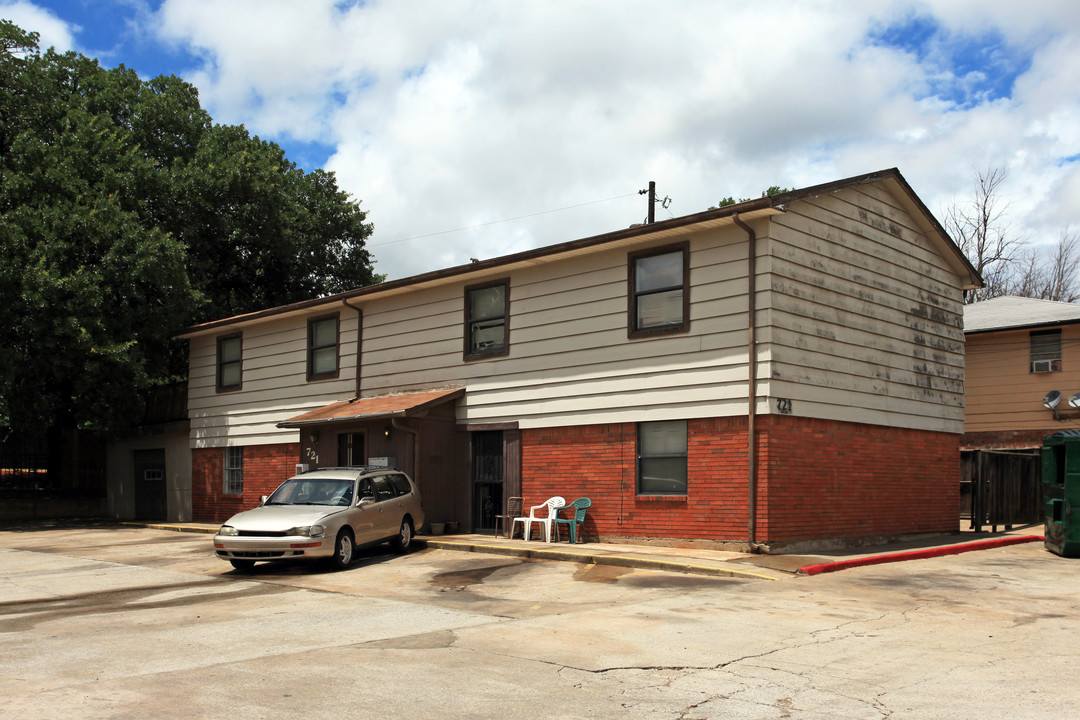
866, 320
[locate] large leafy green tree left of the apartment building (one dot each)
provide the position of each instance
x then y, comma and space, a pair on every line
127, 214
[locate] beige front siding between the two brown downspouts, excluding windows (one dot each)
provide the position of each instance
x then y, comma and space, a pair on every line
571, 362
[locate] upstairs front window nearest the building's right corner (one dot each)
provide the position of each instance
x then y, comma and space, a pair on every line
659, 293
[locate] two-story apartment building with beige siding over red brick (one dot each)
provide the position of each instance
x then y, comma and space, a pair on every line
784, 371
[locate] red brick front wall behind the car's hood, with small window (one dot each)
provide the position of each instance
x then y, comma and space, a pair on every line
266, 467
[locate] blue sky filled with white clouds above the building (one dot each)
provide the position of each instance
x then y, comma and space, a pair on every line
481, 128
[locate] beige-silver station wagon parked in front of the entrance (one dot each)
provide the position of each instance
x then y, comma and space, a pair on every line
325, 514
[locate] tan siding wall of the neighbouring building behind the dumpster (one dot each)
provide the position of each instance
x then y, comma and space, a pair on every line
1003, 392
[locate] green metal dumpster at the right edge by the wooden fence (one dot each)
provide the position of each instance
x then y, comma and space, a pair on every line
1061, 493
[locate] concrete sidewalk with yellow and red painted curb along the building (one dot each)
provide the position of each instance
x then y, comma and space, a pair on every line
701, 562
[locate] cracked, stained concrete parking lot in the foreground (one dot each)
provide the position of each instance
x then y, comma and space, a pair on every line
101, 622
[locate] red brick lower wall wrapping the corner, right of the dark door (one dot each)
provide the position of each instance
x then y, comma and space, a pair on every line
817, 480
